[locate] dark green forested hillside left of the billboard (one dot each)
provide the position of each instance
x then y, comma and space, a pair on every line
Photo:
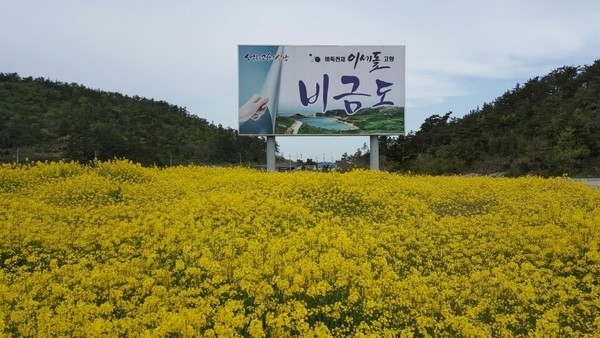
42, 119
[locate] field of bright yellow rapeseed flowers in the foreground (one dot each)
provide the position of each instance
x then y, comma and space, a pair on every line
117, 250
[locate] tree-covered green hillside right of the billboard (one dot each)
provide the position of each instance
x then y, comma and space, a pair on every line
548, 126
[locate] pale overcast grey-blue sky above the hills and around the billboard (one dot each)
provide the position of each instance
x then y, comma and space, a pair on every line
459, 54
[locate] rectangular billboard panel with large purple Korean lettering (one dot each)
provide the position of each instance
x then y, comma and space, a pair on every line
321, 90
